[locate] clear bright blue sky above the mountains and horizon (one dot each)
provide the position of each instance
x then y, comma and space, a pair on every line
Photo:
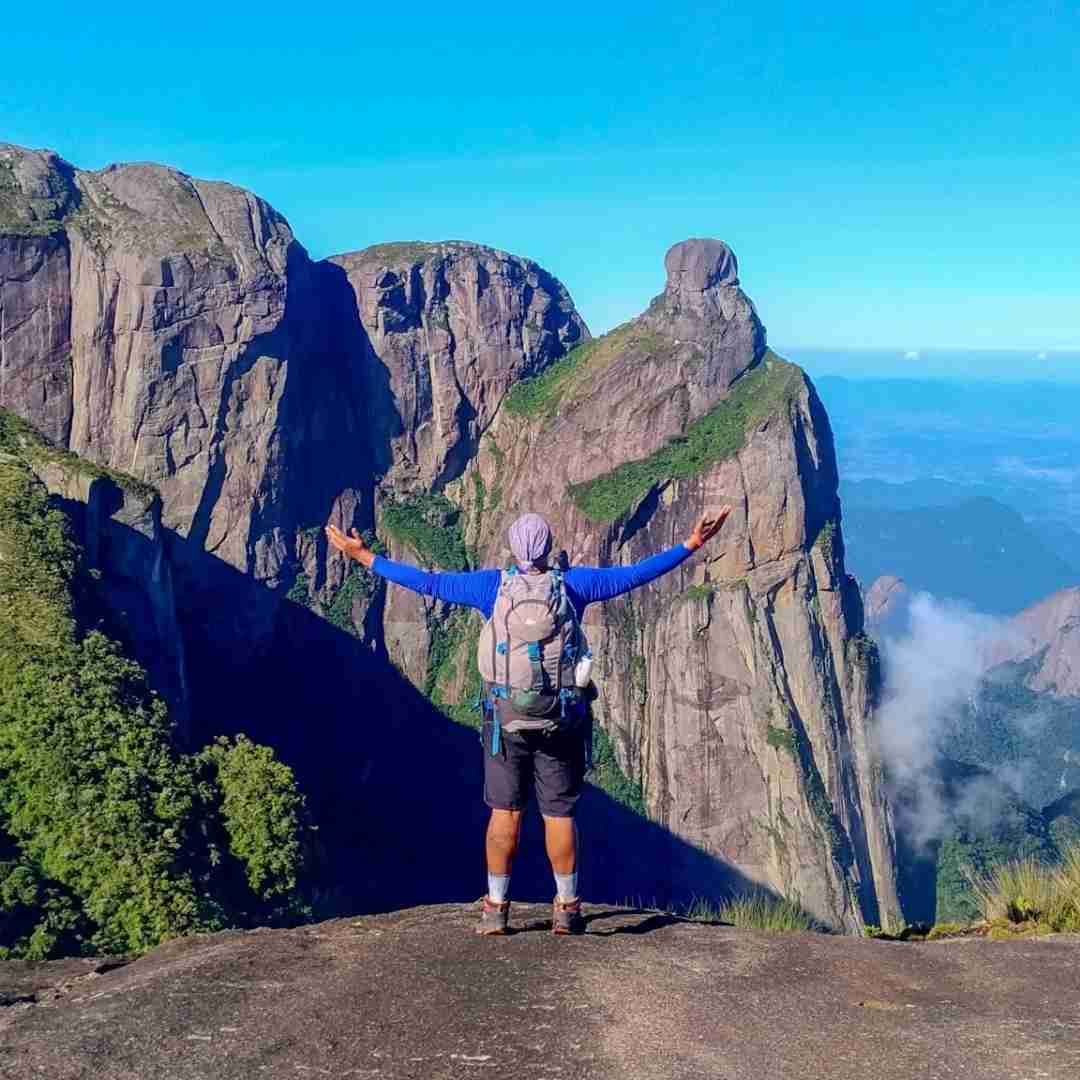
901, 175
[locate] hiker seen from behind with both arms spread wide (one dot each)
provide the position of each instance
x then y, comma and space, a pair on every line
535, 661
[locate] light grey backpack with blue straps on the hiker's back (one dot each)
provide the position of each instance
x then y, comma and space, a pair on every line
529, 651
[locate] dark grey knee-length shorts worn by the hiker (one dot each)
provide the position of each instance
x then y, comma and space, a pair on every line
553, 765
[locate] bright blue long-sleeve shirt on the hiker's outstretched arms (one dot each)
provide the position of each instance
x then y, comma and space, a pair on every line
585, 585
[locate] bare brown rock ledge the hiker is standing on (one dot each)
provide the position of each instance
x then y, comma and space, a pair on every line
643, 995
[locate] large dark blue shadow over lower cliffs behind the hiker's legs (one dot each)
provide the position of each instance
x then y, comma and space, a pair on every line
395, 786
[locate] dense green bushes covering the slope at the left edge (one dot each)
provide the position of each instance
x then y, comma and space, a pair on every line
111, 840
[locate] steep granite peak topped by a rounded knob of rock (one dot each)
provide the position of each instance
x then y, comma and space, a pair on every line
739, 690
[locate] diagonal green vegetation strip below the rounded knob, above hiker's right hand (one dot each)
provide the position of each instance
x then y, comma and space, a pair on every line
714, 437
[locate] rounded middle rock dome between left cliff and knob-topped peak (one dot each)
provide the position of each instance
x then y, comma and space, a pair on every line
451, 329
